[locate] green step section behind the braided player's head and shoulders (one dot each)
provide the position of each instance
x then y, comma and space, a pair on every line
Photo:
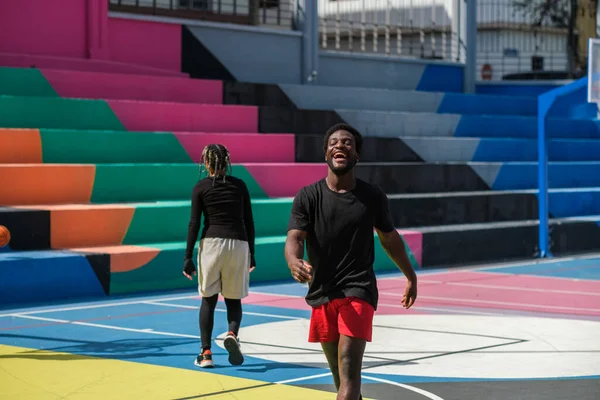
116, 183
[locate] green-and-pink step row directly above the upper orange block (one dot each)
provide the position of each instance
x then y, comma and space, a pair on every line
60, 113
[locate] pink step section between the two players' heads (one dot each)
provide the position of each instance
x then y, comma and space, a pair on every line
285, 180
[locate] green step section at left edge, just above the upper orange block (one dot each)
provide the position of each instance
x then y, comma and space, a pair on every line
58, 113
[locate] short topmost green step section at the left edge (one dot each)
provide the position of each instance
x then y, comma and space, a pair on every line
24, 82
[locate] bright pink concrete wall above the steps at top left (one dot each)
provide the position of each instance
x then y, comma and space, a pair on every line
82, 30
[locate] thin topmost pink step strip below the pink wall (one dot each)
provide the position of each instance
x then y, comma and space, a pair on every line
79, 64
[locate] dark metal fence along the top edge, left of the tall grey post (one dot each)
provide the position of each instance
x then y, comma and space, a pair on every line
270, 13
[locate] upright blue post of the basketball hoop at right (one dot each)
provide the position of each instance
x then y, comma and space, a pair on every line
544, 103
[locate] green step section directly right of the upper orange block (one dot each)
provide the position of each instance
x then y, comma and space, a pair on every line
85, 146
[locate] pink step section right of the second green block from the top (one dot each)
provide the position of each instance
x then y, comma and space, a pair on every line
159, 116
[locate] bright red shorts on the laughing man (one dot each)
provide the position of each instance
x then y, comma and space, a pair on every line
349, 316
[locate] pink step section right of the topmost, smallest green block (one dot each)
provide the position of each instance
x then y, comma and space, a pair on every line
101, 85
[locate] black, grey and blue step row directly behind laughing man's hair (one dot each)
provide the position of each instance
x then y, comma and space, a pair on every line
394, 124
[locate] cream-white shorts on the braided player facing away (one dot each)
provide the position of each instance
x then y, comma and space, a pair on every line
223, 267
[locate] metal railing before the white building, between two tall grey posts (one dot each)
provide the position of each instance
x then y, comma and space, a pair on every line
412, 28
